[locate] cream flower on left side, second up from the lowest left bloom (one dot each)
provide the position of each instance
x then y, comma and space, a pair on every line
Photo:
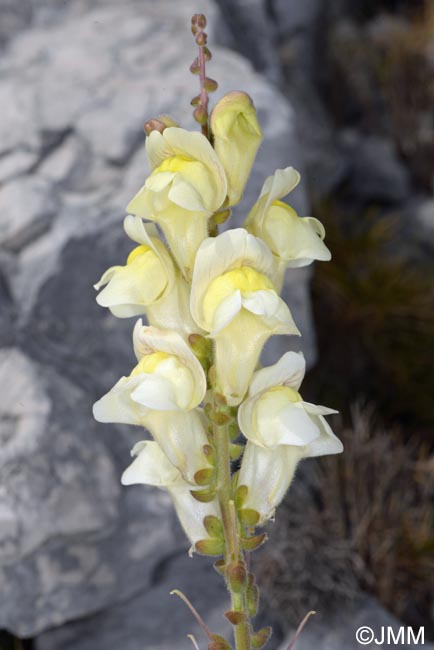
149, 283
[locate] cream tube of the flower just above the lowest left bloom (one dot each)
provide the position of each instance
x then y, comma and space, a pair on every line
182, 437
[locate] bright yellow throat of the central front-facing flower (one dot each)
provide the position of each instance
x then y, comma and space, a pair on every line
244, 279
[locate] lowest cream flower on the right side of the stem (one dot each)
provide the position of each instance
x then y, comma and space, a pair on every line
281, 429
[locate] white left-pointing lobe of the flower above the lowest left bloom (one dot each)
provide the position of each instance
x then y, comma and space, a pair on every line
117, 405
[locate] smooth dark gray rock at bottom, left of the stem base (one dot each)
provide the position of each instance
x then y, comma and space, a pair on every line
154, 619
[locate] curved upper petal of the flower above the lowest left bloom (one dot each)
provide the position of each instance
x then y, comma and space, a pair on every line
147, 340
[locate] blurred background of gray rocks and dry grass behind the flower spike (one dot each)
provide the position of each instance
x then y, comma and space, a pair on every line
345, 93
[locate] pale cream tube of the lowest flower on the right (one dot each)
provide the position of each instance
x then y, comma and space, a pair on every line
267, 475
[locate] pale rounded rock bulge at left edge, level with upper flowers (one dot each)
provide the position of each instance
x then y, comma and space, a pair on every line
27, 206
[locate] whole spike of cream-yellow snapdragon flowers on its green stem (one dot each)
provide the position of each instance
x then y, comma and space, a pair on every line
211, 302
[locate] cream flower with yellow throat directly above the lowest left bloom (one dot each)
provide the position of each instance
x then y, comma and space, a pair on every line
162, 394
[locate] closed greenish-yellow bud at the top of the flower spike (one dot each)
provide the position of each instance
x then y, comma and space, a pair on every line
237, 136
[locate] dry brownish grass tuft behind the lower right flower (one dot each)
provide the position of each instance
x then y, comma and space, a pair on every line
364, 520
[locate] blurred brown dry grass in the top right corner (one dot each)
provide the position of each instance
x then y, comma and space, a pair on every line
385, 69
